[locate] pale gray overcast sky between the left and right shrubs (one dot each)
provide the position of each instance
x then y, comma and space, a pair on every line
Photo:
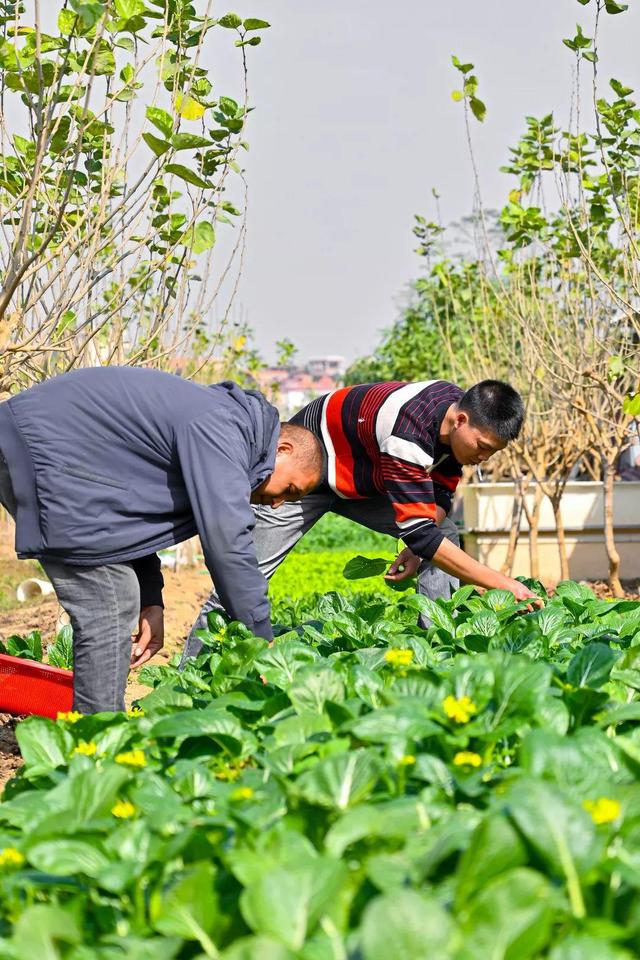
354, 125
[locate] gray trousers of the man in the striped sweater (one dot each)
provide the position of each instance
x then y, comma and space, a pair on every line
277, 531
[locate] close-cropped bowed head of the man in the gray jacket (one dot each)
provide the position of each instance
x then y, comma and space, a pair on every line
298, 469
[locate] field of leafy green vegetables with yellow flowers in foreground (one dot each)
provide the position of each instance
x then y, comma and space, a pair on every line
362, 790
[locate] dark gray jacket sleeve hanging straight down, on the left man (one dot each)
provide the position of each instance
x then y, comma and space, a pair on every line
215, 466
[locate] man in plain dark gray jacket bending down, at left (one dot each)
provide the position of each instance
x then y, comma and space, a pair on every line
103, 467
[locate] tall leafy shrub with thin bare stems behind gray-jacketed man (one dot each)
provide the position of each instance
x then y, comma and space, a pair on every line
110, 212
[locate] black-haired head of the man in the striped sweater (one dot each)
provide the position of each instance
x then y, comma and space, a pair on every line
483, 421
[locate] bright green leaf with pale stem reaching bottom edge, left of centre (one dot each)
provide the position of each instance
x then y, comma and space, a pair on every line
189, 908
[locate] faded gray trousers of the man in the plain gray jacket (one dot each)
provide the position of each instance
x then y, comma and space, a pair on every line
103, 604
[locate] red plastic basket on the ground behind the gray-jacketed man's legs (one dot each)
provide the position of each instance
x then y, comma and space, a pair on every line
34, 688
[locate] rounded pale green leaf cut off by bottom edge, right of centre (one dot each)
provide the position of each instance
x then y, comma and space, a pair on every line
406, 925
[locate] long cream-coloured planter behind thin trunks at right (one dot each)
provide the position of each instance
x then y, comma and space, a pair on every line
487, 523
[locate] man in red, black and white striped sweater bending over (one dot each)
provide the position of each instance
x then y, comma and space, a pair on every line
394, 456
